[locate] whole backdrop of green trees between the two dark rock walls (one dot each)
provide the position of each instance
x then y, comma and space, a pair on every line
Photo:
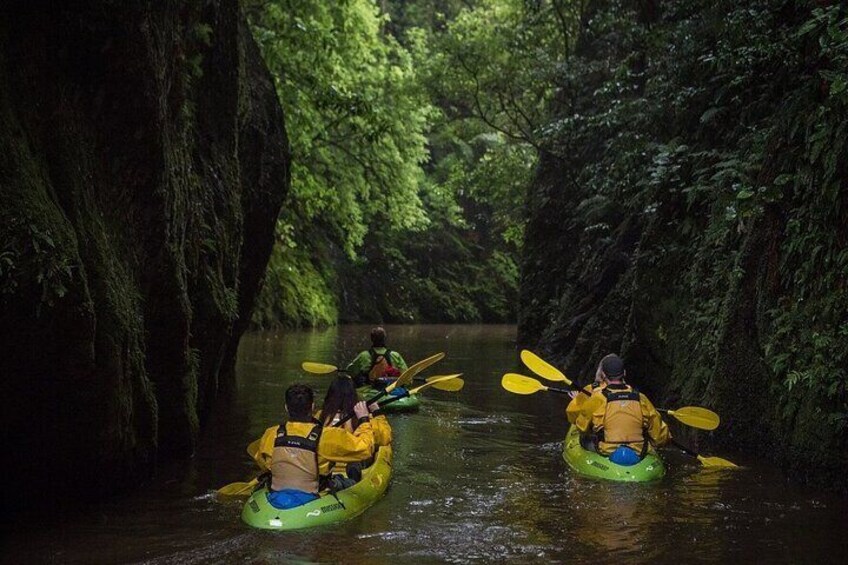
366, 195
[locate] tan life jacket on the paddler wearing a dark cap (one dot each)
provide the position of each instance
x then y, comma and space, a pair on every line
623, 418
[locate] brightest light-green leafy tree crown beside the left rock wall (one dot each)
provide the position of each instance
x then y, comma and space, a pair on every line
355, 116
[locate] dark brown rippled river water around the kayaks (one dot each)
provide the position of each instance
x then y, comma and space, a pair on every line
479, 476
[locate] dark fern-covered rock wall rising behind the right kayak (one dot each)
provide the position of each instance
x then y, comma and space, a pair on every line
691, 213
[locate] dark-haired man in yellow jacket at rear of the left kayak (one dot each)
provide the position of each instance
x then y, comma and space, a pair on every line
300, 451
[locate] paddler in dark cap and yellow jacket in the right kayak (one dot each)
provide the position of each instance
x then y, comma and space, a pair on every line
619, 421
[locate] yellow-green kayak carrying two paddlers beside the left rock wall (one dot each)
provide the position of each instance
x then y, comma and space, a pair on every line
327, 509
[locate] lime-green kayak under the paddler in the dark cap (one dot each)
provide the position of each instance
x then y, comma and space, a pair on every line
591, 464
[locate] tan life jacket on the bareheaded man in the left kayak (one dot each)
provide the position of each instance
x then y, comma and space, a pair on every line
294, 464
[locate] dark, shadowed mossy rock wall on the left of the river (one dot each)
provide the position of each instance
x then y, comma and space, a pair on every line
143, 162
